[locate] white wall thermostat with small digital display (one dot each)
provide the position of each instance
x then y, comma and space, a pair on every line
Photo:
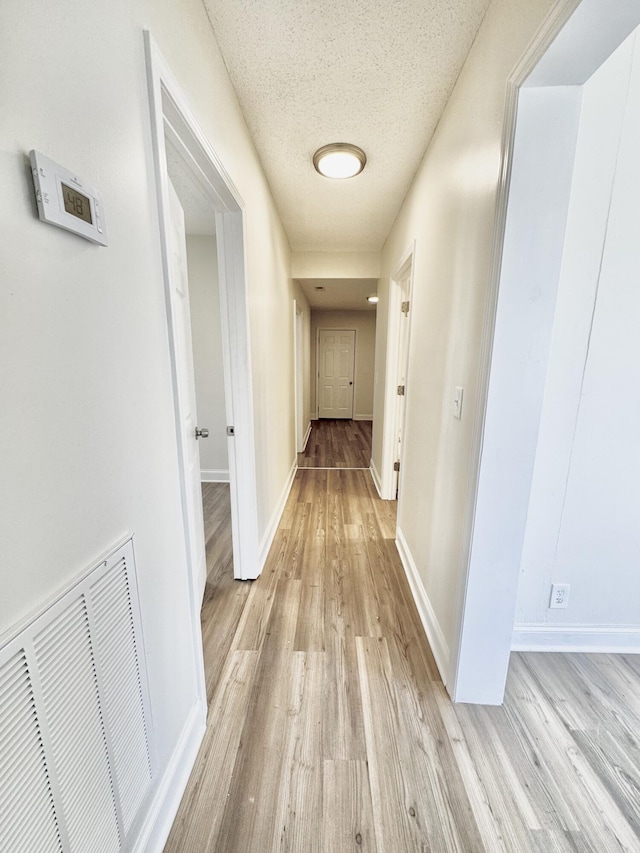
65, 200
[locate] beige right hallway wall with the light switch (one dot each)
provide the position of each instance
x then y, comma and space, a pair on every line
449, 212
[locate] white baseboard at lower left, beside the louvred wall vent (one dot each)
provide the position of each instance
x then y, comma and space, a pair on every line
164, 805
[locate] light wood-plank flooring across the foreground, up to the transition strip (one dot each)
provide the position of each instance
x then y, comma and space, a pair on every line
330, 730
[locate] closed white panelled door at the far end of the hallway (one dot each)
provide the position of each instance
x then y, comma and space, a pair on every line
336, 349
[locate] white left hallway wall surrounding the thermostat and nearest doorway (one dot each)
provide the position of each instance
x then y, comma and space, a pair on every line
87, 422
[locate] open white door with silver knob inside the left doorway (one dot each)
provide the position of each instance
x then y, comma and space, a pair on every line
179, 281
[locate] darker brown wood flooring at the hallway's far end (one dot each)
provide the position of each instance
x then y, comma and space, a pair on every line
337, 444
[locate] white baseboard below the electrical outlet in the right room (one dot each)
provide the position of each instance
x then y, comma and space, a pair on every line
605, 639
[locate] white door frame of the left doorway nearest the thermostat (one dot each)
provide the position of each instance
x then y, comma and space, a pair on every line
172, 116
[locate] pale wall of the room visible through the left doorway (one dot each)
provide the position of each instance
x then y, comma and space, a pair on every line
206, 336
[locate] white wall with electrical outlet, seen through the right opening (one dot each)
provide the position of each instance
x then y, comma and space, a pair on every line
582, 523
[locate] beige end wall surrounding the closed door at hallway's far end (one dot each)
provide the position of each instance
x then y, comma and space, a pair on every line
364, 322
